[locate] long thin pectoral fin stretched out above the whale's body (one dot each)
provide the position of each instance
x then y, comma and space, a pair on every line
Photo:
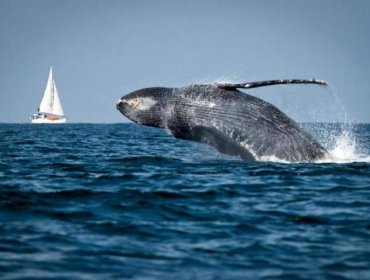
270, 83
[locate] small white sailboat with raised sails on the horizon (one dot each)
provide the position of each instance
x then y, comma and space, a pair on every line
50, 109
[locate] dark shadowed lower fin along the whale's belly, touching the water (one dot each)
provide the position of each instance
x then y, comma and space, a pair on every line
213, 137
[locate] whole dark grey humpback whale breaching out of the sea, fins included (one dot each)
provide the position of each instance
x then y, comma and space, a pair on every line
225, 117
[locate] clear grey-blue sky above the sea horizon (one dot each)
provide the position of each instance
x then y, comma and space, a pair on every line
101, 50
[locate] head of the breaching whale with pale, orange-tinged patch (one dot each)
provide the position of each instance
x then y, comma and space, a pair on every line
146, 106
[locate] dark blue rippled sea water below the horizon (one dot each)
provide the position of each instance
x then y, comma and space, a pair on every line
130, 202
